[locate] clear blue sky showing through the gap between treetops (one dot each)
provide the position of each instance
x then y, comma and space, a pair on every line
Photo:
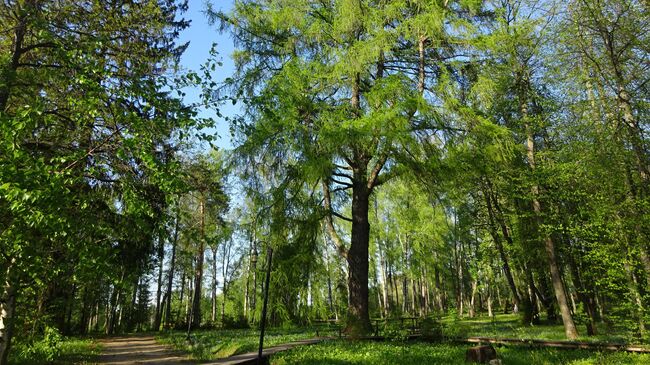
201, 37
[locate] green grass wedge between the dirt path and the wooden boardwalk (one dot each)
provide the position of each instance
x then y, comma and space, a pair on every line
217, 344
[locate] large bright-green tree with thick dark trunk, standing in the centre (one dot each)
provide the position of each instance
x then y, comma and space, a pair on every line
333, 93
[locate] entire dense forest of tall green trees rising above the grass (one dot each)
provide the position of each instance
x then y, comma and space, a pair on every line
401, 158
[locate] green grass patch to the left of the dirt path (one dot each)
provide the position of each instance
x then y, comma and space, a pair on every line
65, 351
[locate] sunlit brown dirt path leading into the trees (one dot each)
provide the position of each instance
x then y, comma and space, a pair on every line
138, 350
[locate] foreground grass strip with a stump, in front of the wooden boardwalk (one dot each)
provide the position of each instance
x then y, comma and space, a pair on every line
364, 352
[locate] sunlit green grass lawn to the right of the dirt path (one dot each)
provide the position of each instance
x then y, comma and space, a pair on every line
215, 344
